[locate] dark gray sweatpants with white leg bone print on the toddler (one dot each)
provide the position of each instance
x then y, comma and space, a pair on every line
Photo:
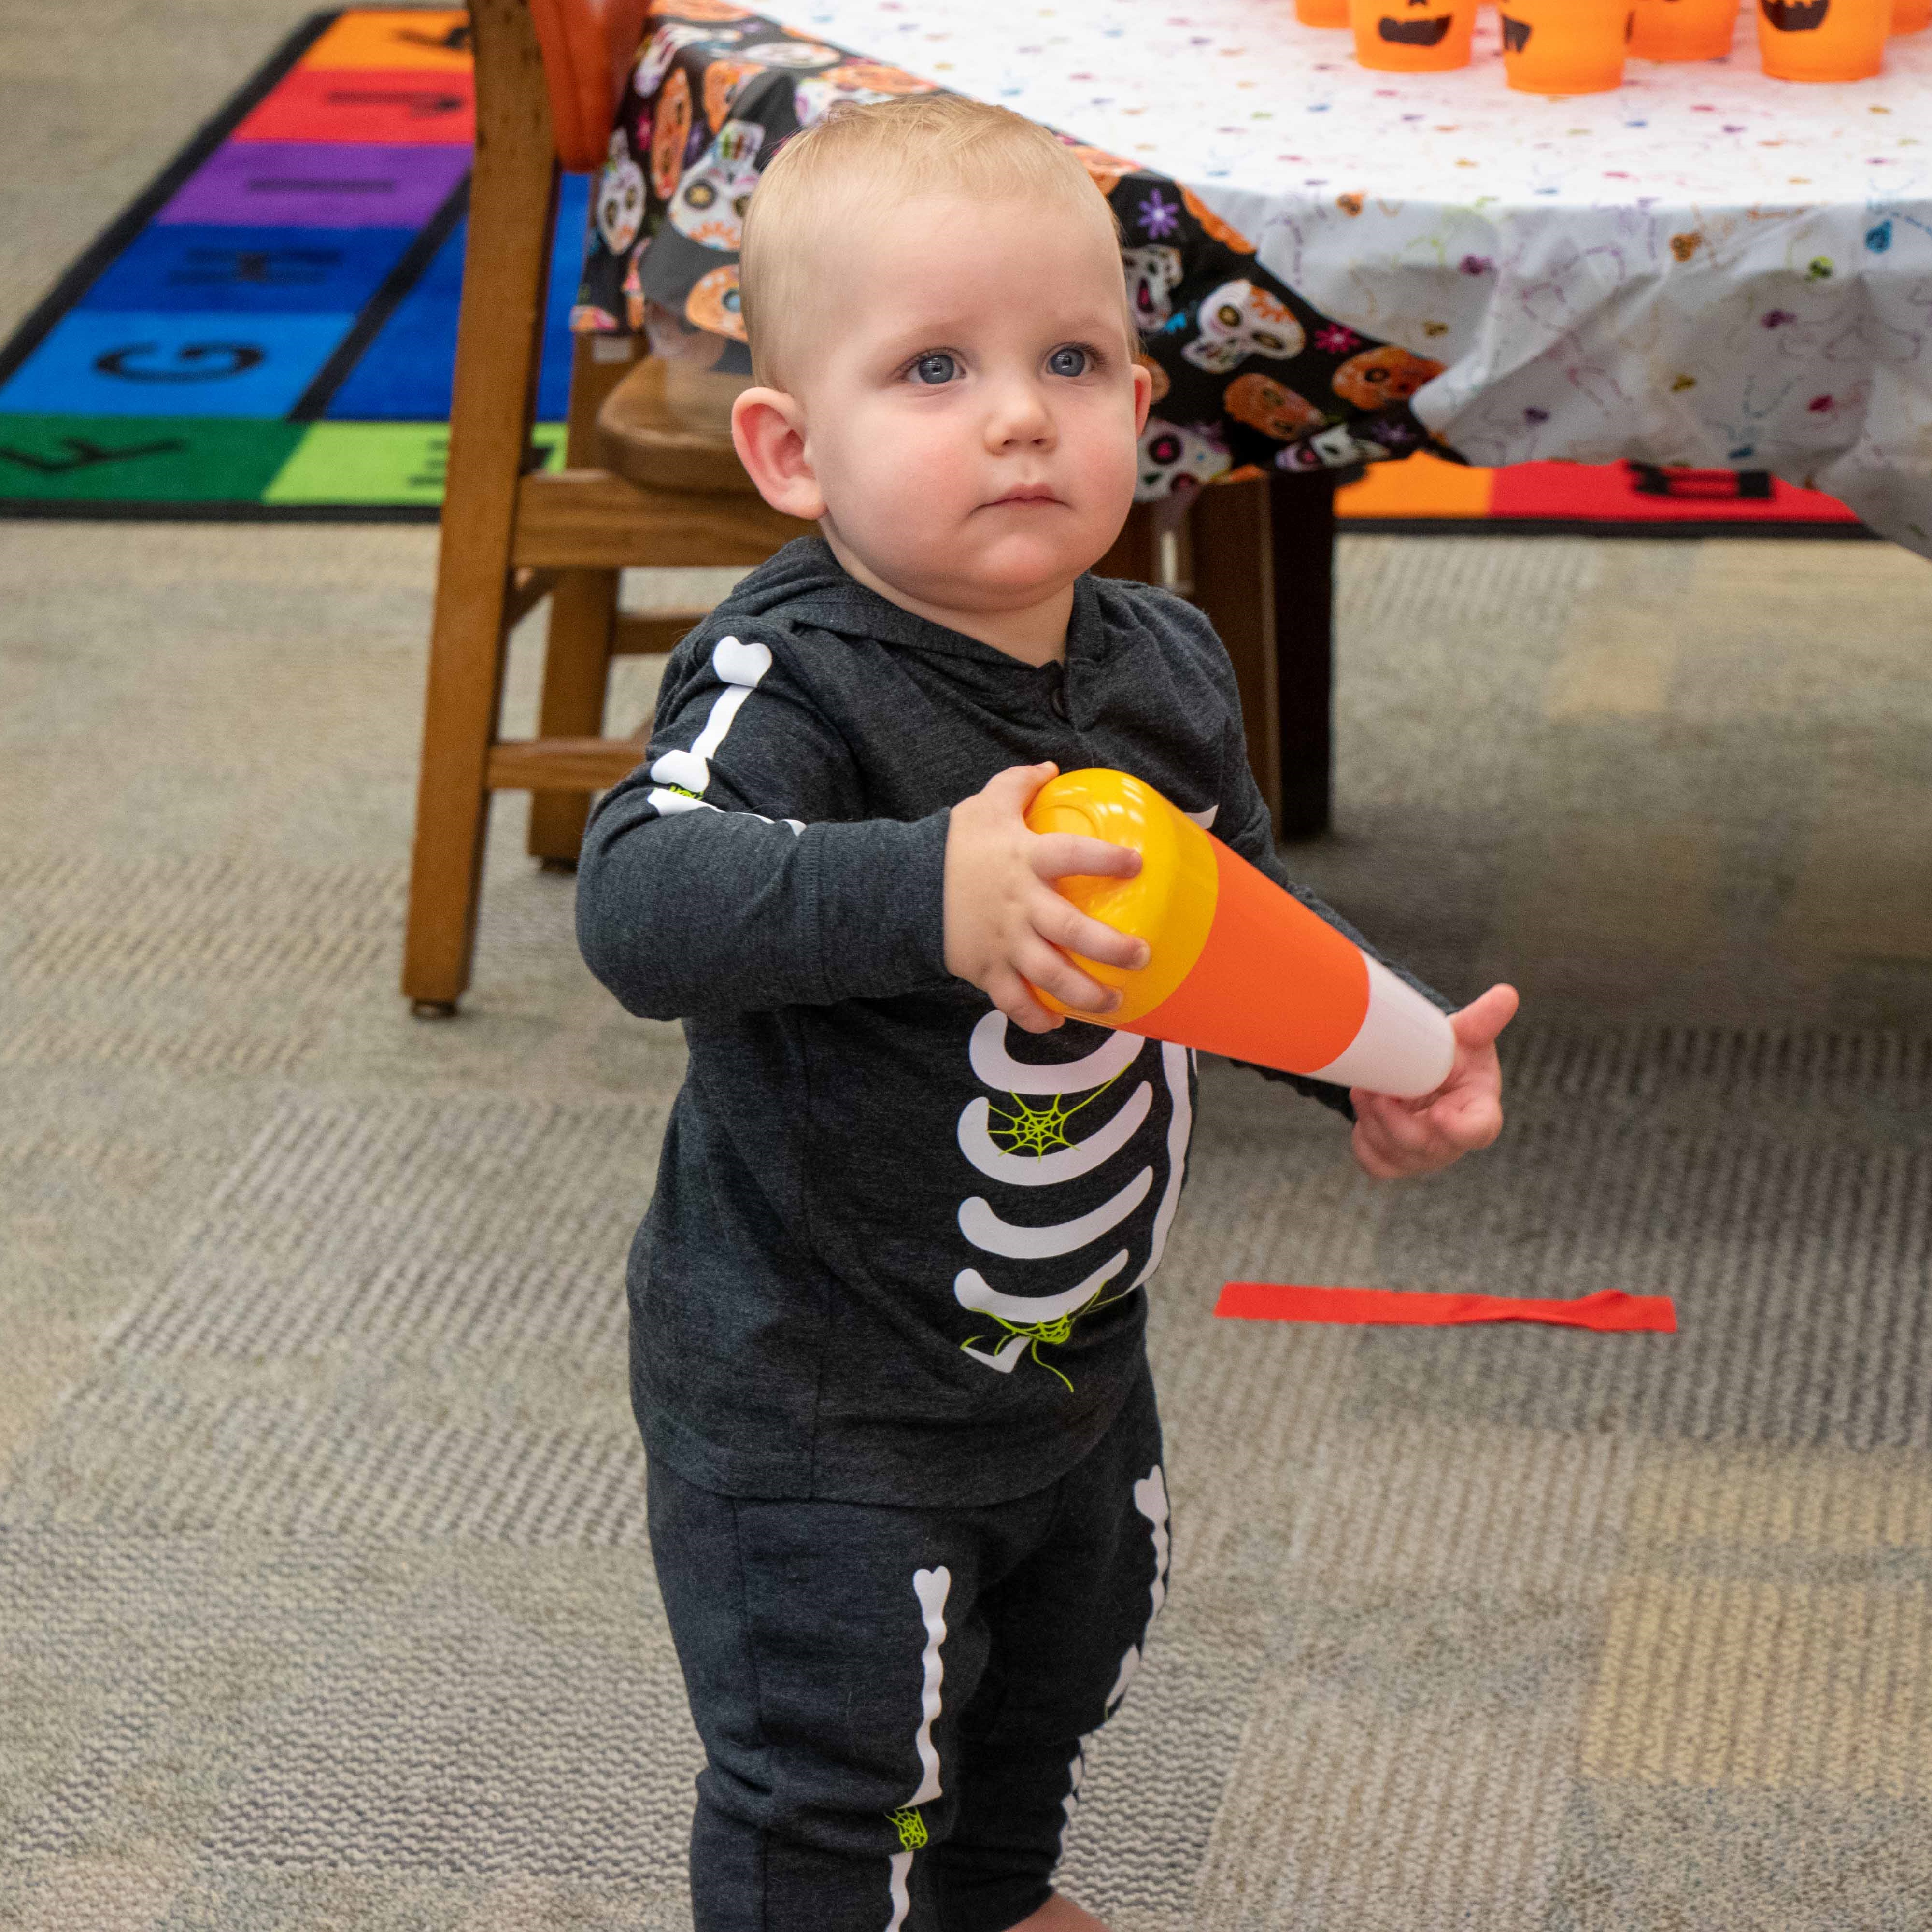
894, 1701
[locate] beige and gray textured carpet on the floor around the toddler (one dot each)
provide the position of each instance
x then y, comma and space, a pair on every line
324, 1599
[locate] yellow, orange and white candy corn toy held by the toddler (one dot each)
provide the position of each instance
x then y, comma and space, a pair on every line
1237, 967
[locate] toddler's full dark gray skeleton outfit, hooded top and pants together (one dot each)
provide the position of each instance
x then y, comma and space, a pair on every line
888, 1303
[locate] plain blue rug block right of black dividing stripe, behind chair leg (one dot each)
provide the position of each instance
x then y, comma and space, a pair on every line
407, 372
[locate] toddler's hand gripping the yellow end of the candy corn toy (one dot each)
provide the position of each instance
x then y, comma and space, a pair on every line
1006, 924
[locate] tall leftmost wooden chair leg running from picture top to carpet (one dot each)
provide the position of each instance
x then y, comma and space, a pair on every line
513, 202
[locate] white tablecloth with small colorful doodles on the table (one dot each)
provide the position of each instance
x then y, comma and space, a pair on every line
1705, 268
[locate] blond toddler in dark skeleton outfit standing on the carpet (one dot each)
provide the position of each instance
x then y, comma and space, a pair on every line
905, 1467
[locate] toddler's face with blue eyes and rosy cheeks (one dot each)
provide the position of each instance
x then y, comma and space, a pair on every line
971, 399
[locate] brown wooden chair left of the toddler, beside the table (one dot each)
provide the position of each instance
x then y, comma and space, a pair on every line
548, 80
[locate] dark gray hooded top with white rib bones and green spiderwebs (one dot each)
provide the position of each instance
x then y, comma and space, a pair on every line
899, 1249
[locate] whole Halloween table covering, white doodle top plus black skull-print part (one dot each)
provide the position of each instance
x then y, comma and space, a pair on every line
1703, 268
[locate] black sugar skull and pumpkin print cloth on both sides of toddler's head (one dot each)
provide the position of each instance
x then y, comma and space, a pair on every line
1247, 374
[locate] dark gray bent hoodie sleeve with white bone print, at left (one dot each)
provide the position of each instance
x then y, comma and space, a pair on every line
733, 872
